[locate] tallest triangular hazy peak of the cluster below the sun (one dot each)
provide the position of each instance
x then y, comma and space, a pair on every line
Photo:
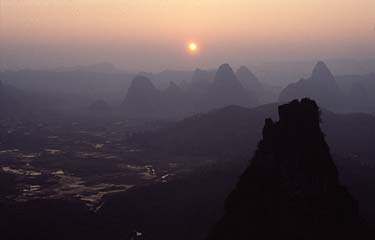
226, 90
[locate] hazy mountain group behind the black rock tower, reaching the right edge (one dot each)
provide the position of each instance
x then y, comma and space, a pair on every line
355, 94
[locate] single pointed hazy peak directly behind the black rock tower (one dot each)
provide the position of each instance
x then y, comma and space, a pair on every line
321, 86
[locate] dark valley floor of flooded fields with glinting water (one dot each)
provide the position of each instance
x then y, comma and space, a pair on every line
73, 160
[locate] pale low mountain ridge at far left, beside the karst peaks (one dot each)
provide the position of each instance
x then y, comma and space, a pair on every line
77, 87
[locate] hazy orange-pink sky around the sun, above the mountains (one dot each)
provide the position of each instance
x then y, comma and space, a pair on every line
152, 34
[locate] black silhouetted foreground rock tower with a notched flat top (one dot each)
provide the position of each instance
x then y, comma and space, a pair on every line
291, 188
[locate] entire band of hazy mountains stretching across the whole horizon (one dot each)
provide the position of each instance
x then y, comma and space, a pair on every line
178, 94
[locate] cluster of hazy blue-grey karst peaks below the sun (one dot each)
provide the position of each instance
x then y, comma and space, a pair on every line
206, 92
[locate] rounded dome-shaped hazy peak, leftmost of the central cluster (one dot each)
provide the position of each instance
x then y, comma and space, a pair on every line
142, 100
